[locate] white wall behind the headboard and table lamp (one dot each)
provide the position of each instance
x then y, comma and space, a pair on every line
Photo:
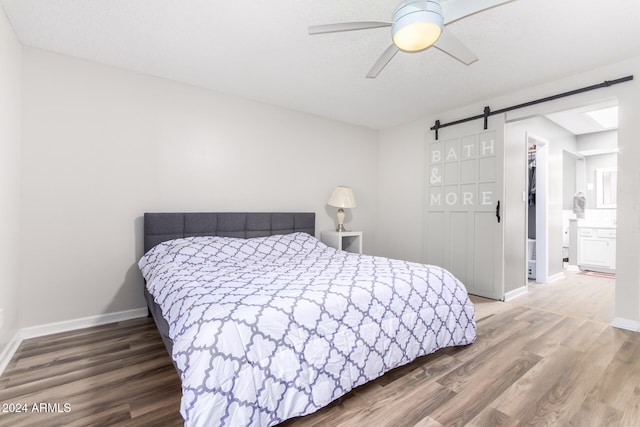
101, 146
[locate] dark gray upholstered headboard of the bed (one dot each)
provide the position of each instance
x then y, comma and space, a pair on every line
160, 227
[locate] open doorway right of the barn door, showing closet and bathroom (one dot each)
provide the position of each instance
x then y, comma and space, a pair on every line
571, 178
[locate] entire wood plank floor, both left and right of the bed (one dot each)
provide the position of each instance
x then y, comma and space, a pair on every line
546, 358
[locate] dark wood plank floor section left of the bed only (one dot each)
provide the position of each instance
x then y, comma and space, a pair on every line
117, 374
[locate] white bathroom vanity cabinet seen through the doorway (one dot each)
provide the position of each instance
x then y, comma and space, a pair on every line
597, 249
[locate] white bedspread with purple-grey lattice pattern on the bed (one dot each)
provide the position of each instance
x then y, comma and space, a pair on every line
270, 328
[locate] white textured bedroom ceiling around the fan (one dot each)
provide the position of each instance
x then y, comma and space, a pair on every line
262, 51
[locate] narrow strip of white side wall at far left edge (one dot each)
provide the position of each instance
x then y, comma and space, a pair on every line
9, 179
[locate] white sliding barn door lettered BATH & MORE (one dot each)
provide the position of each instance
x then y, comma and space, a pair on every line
463, 230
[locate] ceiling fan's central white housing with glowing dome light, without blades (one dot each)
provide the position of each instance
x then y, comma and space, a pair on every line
417, 24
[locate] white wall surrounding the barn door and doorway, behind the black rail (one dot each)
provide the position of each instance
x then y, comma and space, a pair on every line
405, 145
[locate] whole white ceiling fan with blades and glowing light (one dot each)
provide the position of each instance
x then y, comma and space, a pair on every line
417, 25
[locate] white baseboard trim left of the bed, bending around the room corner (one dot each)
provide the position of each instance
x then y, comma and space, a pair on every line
65, 326
